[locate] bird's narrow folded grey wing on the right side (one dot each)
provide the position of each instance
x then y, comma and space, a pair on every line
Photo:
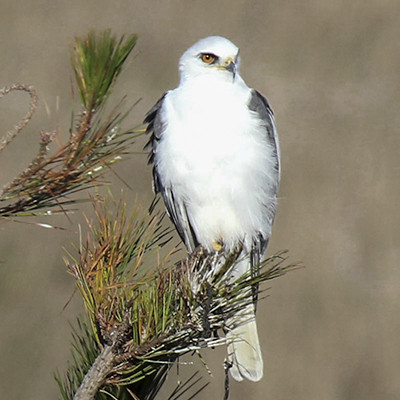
259, 104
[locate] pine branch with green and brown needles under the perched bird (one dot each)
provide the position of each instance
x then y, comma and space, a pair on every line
144, 317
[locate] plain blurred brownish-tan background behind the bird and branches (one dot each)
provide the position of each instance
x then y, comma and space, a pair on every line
331, 72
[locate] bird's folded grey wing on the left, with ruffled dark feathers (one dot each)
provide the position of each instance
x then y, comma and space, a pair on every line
175, 207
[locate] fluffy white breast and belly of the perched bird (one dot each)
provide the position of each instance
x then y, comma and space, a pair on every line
215, 155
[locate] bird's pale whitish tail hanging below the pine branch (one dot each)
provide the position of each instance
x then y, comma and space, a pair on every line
244, 352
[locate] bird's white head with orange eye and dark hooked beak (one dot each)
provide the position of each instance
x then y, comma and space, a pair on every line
214, 55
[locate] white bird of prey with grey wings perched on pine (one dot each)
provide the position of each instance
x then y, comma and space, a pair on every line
216, 163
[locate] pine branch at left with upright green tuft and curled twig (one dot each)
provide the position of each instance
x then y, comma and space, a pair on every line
95, 143
